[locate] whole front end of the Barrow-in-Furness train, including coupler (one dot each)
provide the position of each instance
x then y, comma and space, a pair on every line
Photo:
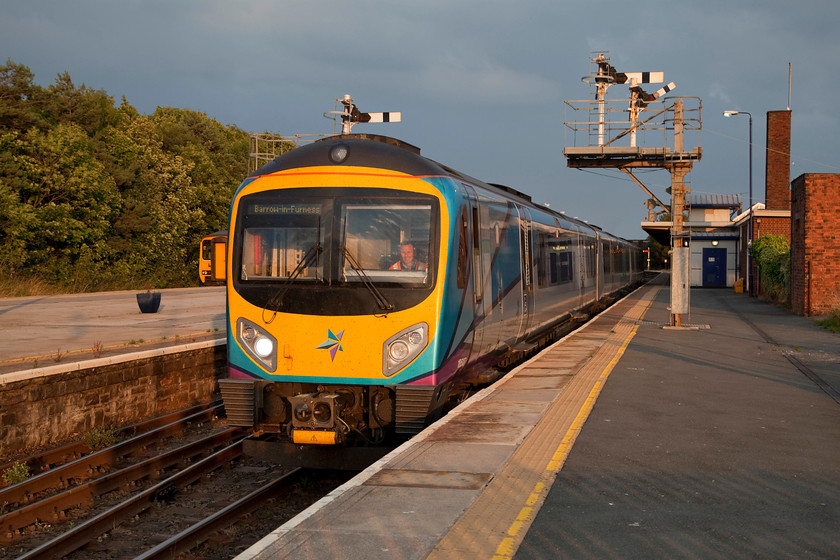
335, 287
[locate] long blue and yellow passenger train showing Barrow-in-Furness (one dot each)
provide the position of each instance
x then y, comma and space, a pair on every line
367, 286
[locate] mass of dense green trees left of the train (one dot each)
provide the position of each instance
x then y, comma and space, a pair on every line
96, 196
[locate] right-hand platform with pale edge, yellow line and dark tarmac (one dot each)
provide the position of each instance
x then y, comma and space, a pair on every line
623, 440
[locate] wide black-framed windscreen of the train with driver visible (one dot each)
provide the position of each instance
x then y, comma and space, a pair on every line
335, 251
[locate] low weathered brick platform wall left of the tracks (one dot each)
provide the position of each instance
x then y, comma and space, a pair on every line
42, 408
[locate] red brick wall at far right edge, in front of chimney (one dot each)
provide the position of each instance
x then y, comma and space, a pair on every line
815, 247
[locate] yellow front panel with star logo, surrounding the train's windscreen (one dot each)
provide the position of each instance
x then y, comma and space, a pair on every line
337, 346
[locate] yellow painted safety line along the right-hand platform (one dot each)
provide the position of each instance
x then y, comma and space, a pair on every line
508, 546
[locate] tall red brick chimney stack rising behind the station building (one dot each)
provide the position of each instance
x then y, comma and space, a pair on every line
777, 171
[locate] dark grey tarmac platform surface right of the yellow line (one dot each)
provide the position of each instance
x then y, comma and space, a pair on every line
706, 444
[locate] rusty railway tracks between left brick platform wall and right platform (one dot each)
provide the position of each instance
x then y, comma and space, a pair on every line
116, 503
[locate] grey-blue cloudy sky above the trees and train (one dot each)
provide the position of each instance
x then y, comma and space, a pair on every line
482, 85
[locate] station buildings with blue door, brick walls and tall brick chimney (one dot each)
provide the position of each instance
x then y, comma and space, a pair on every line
805, 211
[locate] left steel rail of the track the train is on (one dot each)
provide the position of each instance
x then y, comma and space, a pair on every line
82, 534
